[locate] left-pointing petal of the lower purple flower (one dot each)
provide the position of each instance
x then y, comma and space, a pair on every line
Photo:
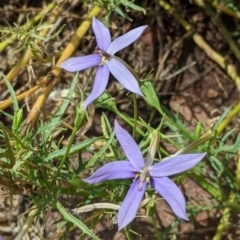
113, 170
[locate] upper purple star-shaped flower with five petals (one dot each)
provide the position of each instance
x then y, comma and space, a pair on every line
106, 61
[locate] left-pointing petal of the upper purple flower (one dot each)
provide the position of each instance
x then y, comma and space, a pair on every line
79, 63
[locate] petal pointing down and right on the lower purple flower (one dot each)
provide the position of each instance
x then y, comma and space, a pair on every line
171, 193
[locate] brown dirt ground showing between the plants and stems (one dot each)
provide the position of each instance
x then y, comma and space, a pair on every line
185, 78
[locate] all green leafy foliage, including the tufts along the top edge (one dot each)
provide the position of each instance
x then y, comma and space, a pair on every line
33, 160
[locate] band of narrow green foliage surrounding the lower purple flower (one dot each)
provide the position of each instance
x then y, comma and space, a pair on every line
33, 160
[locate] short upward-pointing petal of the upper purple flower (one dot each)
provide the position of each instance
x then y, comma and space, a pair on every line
102, 34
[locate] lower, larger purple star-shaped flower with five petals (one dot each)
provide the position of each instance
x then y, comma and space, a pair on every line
143, 173
